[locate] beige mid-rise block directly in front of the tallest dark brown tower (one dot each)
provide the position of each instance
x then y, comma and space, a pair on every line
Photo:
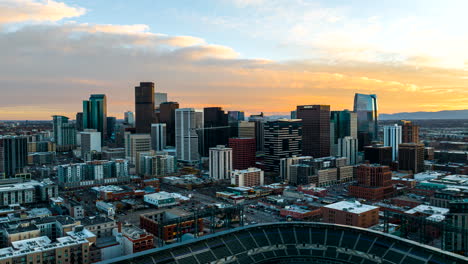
134, 144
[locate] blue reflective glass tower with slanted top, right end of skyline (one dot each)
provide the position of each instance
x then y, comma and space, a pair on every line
365, 105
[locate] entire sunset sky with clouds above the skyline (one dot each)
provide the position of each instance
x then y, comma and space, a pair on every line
251, 55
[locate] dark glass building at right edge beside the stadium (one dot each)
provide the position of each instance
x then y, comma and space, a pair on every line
454, 240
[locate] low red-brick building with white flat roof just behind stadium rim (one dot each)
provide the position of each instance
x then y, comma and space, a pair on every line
351, 214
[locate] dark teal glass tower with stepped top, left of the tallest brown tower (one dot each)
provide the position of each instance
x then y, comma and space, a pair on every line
95, 114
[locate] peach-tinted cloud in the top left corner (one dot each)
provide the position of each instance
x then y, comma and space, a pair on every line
14, 11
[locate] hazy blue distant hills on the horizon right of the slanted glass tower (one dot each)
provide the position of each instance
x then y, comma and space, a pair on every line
447, 114
